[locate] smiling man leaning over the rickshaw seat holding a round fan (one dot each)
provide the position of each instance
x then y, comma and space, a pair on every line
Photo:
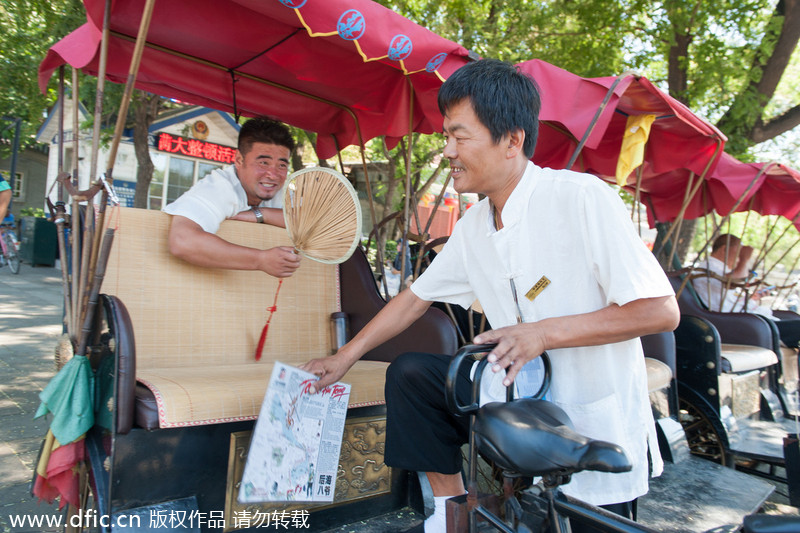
250, 190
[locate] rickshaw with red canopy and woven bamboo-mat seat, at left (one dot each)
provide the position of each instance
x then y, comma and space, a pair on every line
336, 69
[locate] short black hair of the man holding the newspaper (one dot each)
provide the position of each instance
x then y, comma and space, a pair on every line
503, 98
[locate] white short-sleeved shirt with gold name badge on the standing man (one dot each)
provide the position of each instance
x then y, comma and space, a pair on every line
573, 230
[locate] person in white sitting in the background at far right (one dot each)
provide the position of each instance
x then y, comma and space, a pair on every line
729, 261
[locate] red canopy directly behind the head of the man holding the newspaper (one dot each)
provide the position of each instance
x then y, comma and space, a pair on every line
681, 146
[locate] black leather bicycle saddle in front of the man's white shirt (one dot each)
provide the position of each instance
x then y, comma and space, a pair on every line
535, 438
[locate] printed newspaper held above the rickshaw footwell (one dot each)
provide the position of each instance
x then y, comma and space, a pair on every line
294, 450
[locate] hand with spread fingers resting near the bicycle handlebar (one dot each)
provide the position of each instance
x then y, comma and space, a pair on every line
516, 345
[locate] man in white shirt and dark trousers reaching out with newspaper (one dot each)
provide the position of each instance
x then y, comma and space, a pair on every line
587, 288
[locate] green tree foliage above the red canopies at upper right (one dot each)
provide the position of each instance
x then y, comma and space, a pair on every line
722, 58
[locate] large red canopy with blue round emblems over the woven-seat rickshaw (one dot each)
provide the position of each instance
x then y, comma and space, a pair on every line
316, 64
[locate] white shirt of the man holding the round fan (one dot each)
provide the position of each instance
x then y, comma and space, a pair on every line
216, 197
